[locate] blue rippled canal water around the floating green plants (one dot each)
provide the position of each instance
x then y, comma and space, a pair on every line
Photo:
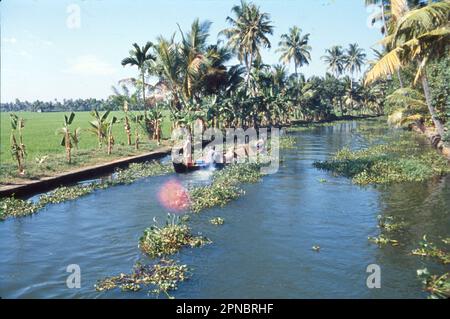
262, 250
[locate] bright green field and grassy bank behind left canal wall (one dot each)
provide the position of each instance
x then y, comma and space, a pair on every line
45, 155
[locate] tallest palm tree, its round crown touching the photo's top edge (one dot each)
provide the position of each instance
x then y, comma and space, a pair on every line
248, 33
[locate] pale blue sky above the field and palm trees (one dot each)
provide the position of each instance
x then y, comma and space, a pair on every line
46, 55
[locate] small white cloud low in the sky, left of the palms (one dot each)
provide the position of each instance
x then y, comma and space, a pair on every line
89, 65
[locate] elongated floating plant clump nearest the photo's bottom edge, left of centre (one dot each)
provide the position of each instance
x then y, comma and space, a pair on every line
163, 276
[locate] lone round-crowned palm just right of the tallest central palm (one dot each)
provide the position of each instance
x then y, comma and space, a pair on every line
294, 46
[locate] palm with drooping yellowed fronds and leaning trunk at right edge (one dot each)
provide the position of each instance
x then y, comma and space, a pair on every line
421, 35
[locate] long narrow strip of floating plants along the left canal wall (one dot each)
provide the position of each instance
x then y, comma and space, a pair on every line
12, 207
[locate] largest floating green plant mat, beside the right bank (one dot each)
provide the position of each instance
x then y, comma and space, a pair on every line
399, 161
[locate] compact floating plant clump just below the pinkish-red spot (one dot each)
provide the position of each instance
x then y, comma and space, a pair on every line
166, 240
